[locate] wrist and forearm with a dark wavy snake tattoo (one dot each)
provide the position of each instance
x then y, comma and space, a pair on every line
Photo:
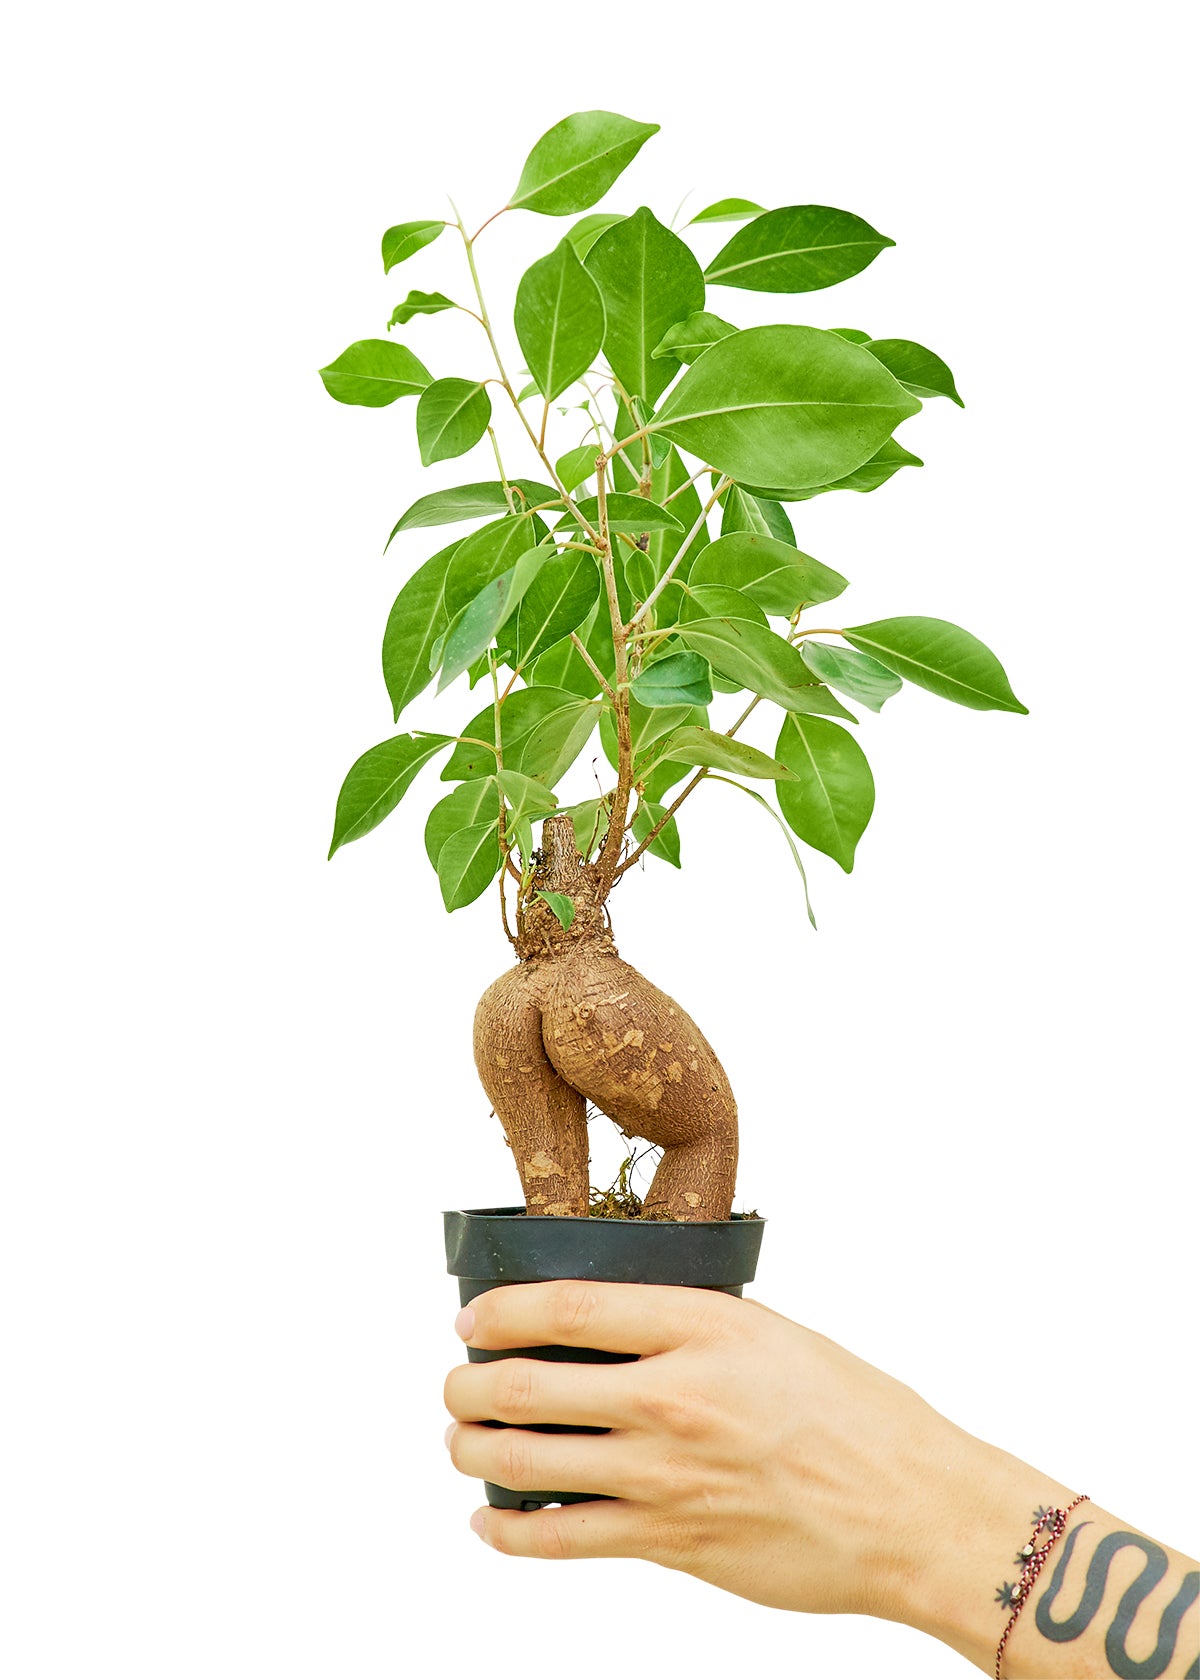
1107, 1604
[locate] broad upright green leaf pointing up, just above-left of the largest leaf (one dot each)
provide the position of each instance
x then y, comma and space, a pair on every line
648, 280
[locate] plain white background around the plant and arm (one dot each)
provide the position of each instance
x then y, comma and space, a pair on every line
243, 1086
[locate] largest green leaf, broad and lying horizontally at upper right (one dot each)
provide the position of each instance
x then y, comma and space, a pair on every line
786, 406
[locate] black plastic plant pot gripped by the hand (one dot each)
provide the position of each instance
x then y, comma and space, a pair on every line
487, 1247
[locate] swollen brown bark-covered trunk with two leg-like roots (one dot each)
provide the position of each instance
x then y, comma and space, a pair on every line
574, 1024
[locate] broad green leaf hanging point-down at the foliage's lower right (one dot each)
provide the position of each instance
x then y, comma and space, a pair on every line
834, 794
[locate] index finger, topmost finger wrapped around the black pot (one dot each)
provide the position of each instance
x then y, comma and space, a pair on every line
616, 1318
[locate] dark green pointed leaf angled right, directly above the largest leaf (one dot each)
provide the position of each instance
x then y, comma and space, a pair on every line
801, 249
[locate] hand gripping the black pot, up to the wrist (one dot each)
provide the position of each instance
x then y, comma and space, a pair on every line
745, 1449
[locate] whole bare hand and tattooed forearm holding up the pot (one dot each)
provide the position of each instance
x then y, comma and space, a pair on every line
766, 1459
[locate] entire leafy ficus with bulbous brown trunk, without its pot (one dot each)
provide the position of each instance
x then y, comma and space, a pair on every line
597, 596
